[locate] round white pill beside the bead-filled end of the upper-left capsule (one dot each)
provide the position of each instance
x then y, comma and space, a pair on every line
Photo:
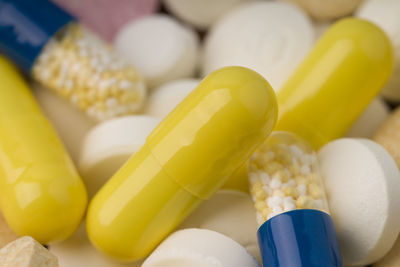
160, 48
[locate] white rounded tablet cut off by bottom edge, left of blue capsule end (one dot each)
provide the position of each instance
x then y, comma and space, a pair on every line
199, 248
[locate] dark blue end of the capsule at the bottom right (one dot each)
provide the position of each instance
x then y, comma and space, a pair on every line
299, 238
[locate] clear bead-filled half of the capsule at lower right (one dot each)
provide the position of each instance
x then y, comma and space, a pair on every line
284, 176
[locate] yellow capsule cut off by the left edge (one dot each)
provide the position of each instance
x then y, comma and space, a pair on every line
41, 194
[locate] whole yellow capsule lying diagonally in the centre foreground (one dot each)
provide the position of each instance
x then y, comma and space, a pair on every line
184, 161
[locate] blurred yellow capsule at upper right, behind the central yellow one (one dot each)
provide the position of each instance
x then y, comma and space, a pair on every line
346, 69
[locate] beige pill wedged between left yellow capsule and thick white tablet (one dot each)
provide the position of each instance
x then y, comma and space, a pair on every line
70, 123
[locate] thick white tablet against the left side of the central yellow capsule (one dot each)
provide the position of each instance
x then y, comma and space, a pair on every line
109, 145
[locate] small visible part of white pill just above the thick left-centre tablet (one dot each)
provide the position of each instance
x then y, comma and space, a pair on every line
165, 98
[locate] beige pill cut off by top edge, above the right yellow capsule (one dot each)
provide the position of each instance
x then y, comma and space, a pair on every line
328, 9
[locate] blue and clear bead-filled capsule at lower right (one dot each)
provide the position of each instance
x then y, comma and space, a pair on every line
292, 209
